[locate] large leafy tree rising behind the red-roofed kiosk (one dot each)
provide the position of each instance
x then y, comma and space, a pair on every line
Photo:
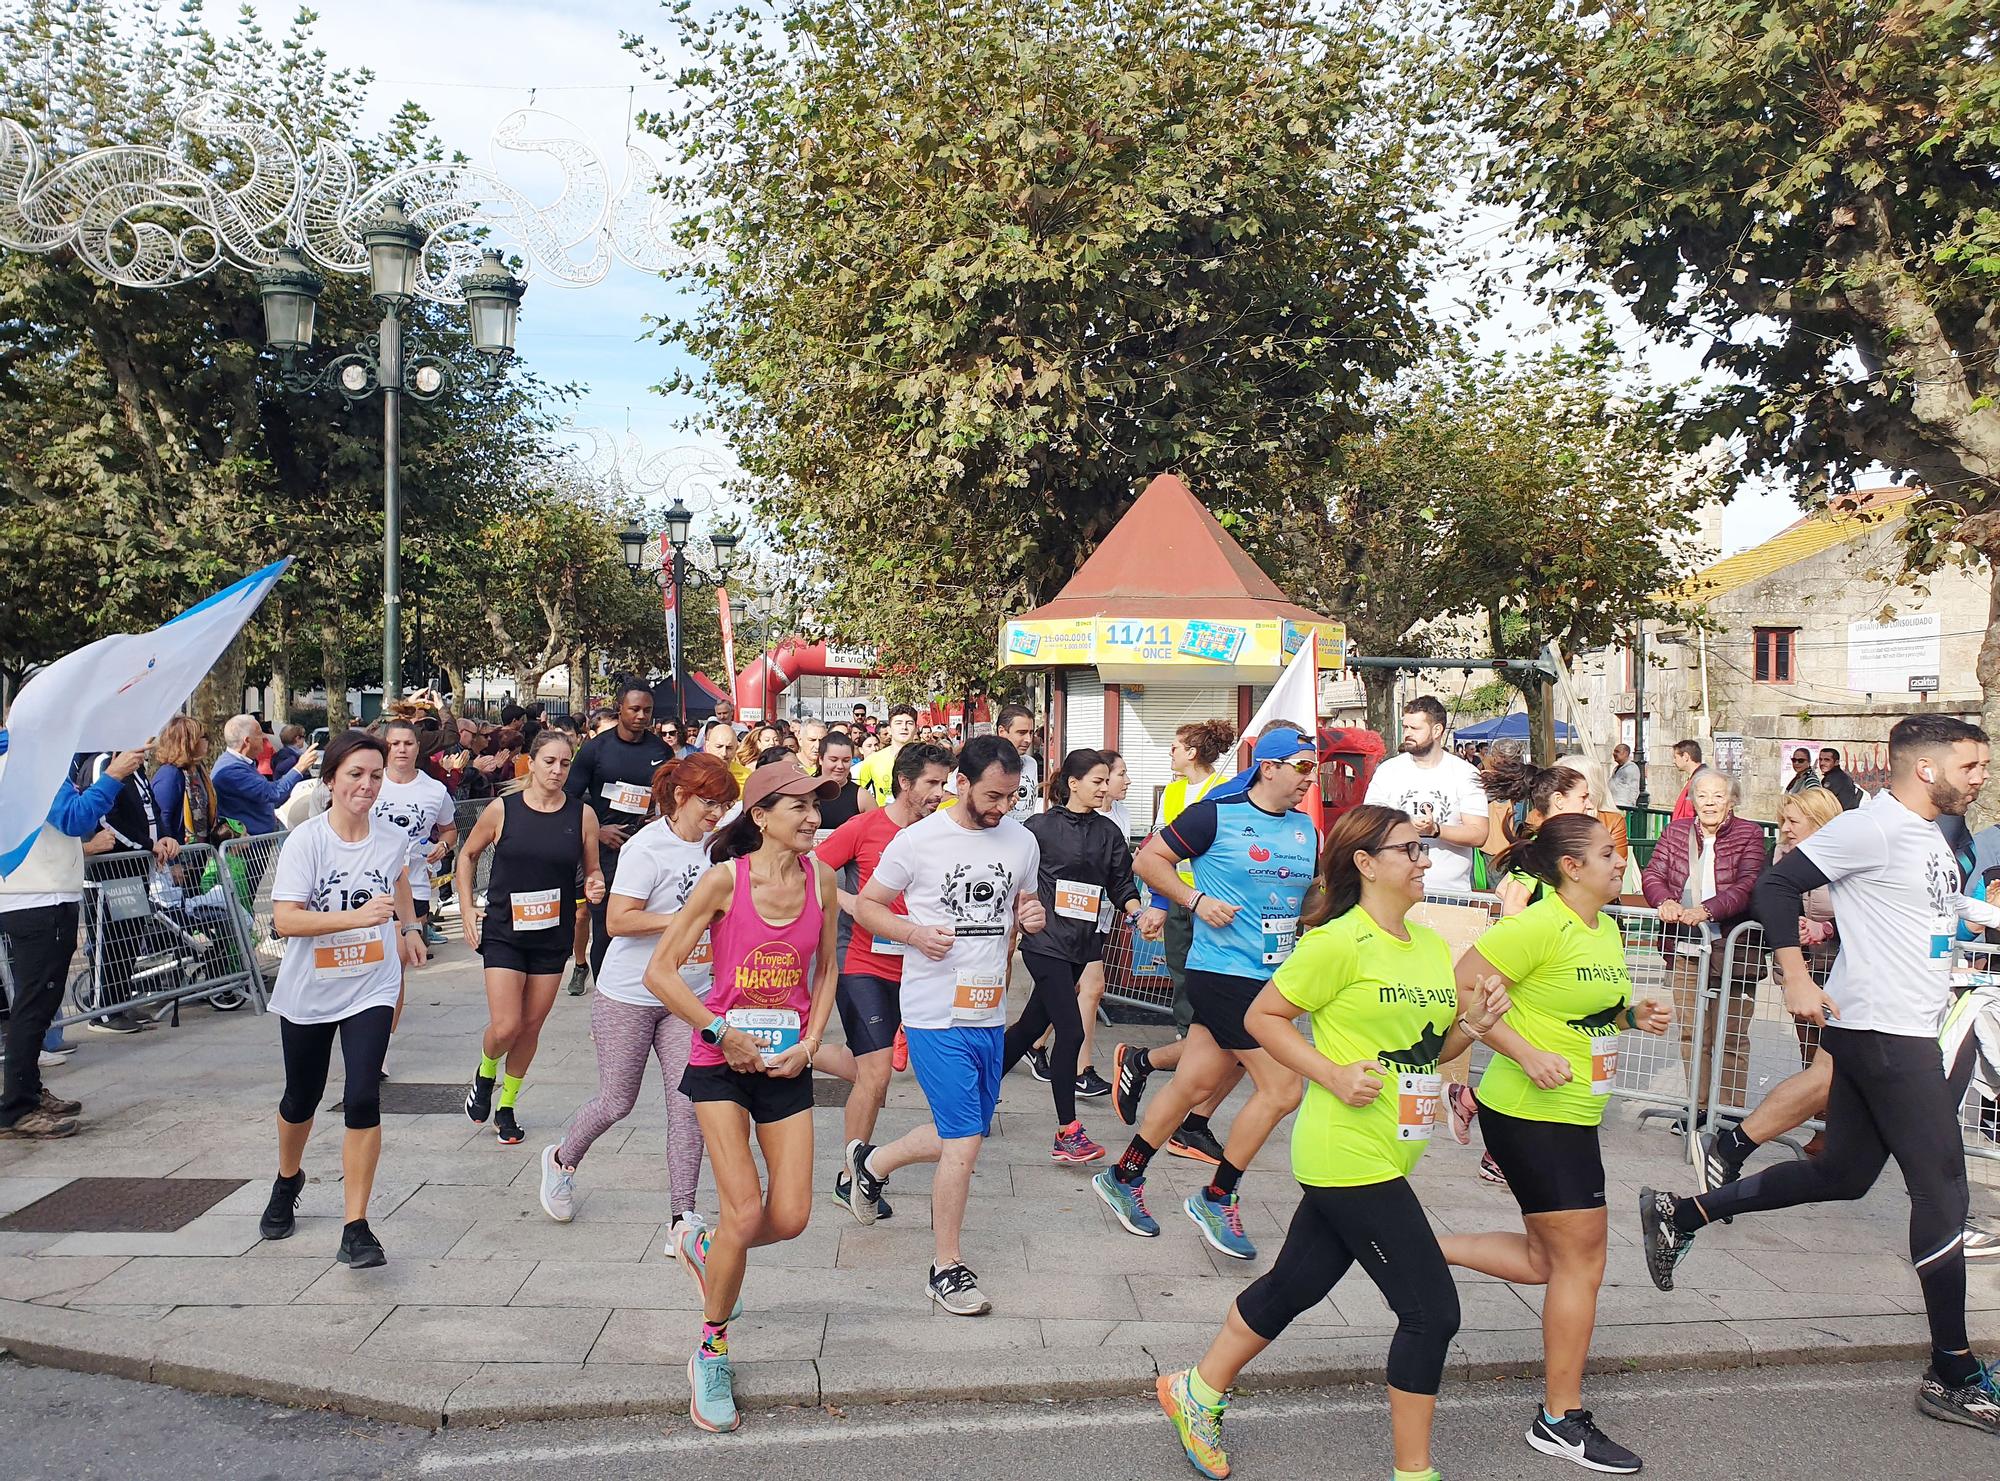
969, 277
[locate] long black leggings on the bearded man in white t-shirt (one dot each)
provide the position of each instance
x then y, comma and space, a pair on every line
1891, 1098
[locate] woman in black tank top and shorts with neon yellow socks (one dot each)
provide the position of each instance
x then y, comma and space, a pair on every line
541, 840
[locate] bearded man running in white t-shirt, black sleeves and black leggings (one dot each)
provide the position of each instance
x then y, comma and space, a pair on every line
1893, 886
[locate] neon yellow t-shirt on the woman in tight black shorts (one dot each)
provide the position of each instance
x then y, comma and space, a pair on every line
1571, 992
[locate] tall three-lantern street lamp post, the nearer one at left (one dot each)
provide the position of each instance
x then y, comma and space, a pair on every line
291, 295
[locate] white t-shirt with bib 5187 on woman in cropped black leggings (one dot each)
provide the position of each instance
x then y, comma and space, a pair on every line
325, 980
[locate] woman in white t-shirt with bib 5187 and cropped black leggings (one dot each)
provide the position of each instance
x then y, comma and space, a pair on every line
343, 908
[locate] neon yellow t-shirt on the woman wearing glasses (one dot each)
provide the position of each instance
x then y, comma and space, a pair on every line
1371, 998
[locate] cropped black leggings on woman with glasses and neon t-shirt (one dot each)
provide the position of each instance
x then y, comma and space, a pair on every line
1381, 1226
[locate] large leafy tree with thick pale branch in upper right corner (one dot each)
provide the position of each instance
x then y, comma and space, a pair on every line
1809, 193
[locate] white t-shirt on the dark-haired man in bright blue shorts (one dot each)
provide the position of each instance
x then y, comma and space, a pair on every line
965, 880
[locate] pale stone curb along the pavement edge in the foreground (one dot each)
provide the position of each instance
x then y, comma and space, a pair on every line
437, 1396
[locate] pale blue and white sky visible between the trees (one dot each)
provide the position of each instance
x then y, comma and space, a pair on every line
473, 63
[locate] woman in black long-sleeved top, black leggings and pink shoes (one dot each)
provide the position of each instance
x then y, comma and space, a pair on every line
1085, 872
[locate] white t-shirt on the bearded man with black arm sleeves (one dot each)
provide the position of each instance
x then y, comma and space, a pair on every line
1895, 890
